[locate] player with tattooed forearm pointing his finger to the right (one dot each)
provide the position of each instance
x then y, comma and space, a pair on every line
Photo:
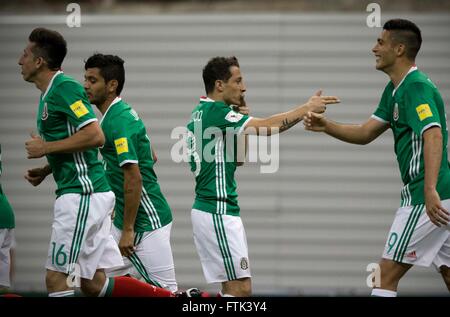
216, 122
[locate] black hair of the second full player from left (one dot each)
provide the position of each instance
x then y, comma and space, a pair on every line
111, 67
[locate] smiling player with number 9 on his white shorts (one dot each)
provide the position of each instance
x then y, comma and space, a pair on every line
412, 107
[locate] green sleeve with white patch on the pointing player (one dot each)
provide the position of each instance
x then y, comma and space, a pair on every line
226, 119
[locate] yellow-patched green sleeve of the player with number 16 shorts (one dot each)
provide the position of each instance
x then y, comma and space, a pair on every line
71, 99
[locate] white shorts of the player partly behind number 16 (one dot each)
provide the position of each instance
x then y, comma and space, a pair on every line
152, 259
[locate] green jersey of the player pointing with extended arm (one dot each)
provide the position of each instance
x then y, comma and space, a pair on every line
212, 139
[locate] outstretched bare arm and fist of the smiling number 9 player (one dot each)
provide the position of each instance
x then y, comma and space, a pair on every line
350, 133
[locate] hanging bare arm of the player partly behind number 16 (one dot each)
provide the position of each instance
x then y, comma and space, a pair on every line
132, 188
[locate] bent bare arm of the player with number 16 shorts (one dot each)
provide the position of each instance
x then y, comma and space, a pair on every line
90, 136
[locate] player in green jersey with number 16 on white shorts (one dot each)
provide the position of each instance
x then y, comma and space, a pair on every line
81, 243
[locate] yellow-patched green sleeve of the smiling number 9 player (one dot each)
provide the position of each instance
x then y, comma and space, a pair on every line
421, 110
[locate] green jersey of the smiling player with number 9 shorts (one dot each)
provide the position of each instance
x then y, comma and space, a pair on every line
410, 109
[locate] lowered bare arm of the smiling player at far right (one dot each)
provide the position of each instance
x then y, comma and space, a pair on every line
432, 152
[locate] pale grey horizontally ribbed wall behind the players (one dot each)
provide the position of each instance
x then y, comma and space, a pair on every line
313, 226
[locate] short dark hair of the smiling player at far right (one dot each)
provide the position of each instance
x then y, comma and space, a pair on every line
407, 33
